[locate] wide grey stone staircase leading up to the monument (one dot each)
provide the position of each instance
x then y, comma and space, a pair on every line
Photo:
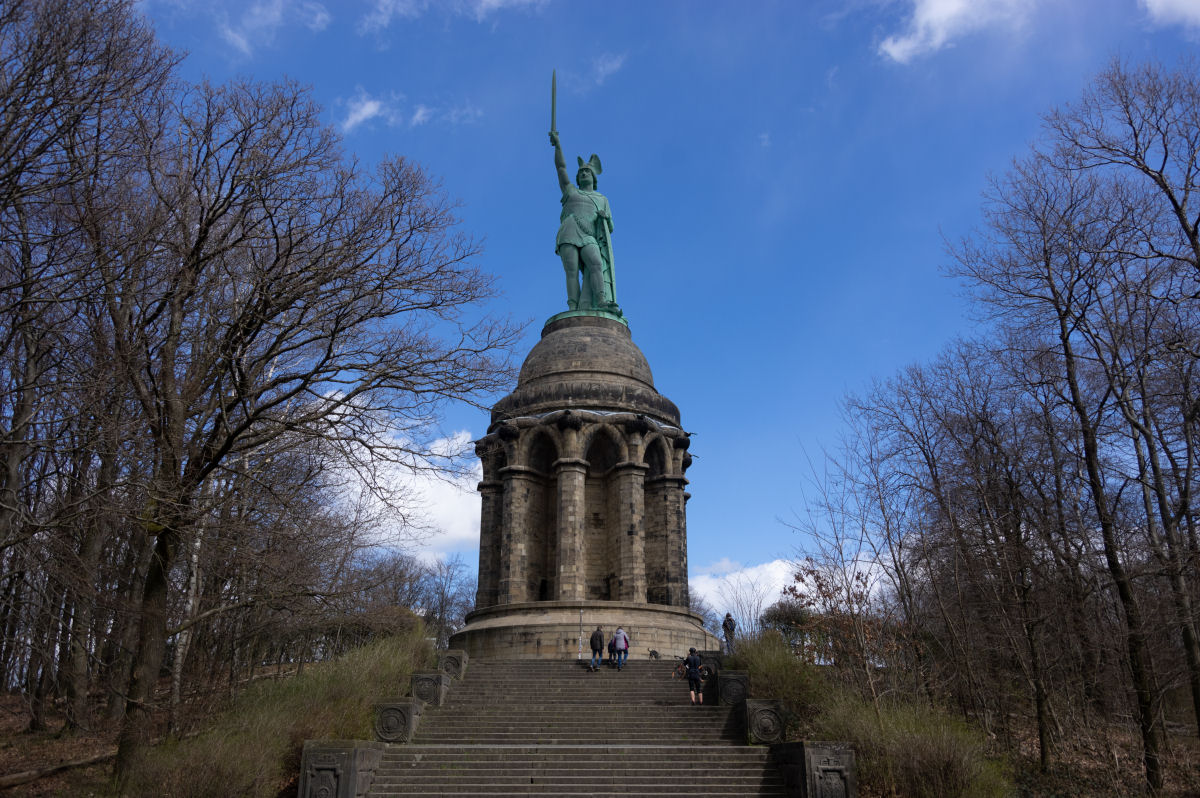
542, 728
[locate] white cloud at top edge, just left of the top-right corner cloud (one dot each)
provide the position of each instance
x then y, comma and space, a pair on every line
937, 23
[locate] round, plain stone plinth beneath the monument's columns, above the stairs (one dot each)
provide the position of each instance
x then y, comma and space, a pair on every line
559, 631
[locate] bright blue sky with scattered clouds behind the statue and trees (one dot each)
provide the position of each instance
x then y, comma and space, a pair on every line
783, 178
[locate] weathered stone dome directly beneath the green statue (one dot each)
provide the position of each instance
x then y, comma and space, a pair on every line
586, 363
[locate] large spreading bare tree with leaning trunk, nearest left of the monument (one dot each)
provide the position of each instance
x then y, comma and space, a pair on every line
257, 286
